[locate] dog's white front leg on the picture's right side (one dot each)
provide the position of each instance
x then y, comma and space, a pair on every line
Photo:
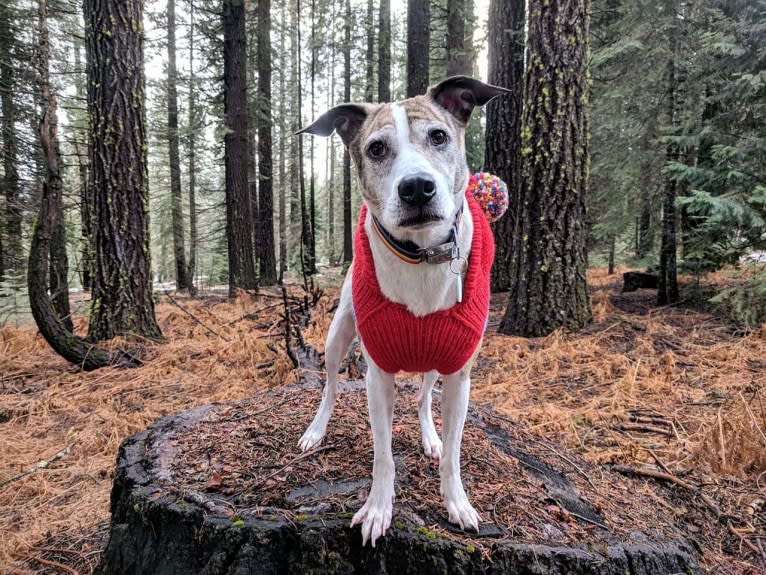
455, 392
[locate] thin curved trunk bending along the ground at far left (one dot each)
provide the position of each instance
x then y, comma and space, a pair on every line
54, 324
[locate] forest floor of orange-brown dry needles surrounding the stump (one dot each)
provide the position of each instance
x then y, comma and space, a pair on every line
675, 392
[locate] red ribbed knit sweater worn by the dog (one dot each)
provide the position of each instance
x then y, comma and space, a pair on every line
445, 340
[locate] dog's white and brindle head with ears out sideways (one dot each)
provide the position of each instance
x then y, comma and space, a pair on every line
410, 155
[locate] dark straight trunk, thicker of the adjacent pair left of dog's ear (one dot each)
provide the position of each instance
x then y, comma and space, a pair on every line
238, 215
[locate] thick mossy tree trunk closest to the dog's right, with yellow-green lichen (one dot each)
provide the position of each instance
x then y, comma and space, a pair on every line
548, 288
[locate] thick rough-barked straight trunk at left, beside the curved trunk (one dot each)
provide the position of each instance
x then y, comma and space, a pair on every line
122, 301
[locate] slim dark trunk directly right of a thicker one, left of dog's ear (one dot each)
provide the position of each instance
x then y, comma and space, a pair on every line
268, 264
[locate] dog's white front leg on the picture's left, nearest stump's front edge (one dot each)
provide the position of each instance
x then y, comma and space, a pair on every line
375, 515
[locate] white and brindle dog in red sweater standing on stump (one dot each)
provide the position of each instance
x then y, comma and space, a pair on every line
417, 292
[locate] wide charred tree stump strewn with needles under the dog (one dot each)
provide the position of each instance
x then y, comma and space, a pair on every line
223, 489
